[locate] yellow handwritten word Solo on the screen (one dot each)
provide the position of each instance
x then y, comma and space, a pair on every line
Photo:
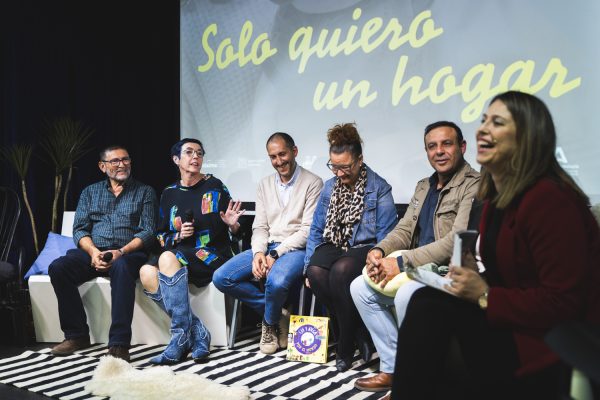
226, 52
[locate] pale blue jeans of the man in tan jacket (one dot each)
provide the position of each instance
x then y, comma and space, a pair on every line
382, 316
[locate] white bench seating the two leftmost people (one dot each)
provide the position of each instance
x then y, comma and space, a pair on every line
150, 324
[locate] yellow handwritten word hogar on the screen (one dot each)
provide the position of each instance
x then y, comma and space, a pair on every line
476, 87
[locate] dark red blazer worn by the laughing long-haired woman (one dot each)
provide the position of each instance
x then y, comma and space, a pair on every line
543, 256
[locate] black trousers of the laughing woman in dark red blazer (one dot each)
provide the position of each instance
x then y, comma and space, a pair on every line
433, 318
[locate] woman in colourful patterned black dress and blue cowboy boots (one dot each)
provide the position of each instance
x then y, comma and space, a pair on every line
196, 216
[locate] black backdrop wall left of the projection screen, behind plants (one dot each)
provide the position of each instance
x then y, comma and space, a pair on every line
113, 65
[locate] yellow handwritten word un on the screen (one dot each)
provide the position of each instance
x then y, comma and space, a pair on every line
329, 100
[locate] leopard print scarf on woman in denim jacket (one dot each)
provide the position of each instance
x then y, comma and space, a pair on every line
345, 209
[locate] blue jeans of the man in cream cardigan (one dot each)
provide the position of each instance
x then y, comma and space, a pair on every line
234, 278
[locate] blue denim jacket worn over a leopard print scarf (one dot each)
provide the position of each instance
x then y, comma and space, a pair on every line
379, 215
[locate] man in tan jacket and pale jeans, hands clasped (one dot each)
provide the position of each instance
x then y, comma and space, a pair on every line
440, 206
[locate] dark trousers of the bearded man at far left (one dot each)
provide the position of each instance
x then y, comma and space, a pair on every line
73, 269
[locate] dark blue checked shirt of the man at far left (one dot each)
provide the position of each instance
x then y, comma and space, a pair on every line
112, 222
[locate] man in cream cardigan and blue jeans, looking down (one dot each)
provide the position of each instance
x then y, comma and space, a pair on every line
285, 203
